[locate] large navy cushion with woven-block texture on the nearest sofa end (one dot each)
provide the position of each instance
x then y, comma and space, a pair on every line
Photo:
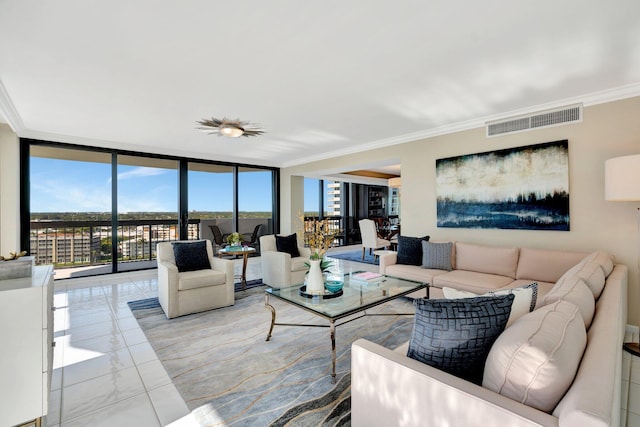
456, 335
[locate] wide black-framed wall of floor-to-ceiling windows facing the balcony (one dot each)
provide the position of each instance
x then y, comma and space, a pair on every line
96, 211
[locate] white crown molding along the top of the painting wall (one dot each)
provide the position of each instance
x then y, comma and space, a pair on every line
594, 98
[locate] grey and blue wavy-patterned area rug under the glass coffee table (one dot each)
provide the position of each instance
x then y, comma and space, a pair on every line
229, 375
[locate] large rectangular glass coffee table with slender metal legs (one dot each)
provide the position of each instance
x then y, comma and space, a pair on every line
355, 299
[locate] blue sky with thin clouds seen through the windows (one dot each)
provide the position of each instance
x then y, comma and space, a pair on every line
75, 186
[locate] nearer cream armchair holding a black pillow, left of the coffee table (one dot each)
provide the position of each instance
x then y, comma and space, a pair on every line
189, 292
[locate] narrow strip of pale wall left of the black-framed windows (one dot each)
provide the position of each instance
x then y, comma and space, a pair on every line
9, 191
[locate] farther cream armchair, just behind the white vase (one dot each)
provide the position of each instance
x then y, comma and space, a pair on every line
279, 269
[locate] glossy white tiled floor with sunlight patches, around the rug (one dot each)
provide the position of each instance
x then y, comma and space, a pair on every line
106, 373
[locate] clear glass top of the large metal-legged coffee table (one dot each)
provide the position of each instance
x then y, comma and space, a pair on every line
356, 295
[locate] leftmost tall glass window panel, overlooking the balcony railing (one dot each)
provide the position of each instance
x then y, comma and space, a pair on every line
70, 209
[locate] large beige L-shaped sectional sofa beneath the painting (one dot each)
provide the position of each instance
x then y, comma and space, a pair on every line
389, 388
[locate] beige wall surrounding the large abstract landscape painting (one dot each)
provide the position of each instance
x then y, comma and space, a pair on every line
608, 130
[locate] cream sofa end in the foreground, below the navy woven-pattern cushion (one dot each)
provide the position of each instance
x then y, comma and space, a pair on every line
388, 388
